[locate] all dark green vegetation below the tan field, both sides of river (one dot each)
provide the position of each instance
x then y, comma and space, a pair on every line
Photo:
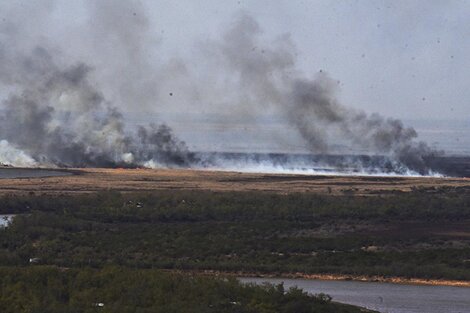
105, 252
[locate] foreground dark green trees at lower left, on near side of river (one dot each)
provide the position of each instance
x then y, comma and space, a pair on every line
43, 289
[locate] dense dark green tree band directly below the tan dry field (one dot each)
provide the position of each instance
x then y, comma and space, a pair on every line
167, 205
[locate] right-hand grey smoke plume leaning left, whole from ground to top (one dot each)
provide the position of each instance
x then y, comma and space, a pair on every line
268, 75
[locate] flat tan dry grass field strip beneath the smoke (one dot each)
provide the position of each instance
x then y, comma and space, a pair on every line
131, 180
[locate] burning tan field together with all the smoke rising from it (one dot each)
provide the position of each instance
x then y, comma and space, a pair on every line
63, 110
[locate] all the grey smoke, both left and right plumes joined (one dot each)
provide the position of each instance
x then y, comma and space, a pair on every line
57, 114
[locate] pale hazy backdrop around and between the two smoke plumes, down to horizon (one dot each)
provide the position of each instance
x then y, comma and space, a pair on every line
403, 59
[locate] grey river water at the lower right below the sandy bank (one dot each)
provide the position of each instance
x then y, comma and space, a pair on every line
384, 297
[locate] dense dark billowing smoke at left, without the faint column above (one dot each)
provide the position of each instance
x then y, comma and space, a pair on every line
59, 118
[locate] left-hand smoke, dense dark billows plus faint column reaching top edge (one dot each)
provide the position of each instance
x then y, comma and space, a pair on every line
57, 115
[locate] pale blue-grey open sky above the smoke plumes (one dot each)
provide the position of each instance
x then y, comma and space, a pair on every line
406, 59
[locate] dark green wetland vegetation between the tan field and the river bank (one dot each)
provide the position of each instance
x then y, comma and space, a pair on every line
409, 235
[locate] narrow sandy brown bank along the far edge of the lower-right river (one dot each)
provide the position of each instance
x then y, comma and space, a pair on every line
341, 277
